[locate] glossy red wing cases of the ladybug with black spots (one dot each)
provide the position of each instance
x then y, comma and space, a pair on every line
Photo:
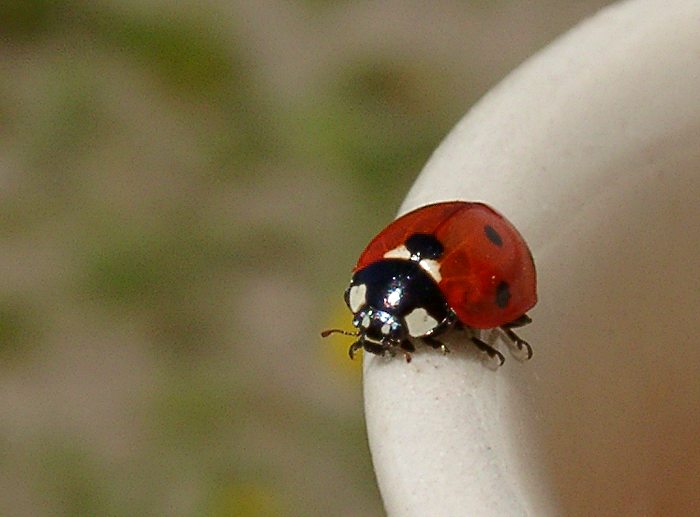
487, 273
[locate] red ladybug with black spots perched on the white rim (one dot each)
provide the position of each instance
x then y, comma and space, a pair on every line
447, 265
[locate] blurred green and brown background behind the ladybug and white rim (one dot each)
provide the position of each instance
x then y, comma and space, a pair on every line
184, 187
